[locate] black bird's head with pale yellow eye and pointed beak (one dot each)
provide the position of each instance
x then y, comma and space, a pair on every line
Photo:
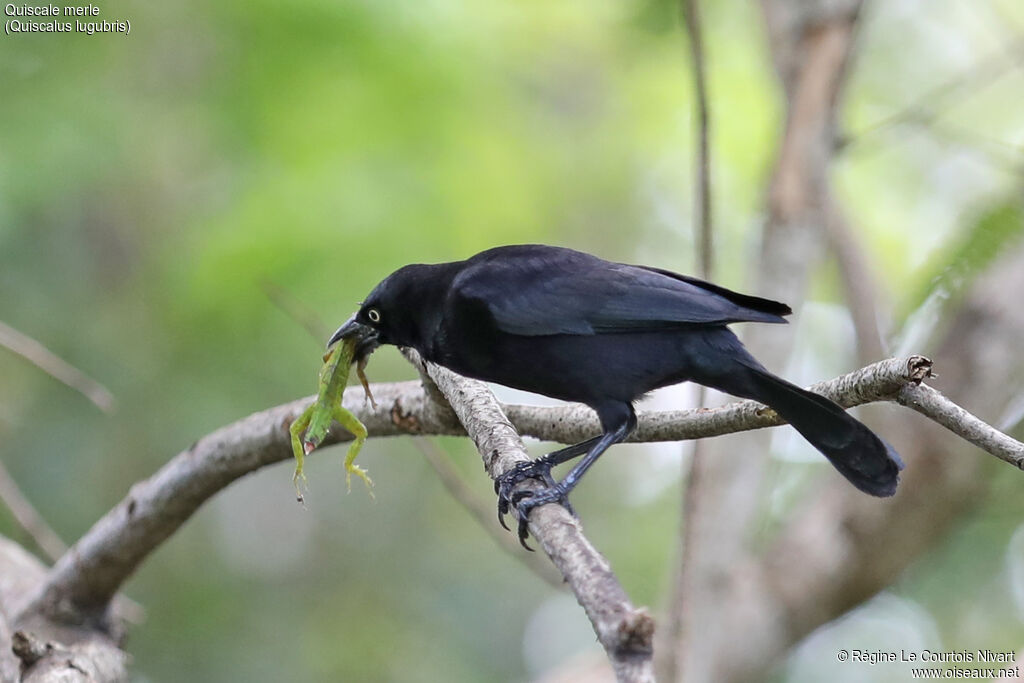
398, 312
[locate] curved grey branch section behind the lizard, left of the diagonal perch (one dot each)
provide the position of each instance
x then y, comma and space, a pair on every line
84, 580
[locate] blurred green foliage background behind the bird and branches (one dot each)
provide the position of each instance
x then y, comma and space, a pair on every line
150, 184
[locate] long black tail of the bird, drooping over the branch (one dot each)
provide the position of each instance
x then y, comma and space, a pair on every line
870, 464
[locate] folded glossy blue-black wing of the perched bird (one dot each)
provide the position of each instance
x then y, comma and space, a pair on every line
567, 292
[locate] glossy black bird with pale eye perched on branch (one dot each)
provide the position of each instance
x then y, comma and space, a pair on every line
572, 326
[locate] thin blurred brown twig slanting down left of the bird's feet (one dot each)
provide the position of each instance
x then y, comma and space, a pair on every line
484, 513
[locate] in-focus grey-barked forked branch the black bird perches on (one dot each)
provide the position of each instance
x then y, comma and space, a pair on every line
77, 591
